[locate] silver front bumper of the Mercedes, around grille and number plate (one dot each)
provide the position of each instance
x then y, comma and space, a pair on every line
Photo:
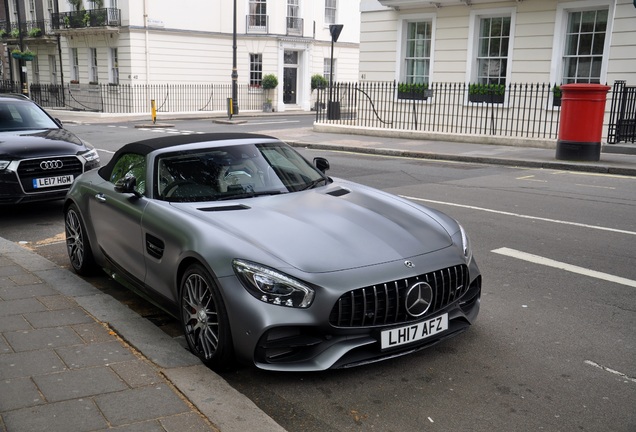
288, 339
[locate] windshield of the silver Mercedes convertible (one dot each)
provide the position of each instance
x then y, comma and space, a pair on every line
232, 172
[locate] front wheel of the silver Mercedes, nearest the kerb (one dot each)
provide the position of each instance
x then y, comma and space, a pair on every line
204, 319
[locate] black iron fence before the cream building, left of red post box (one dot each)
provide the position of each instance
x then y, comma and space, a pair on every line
516, 110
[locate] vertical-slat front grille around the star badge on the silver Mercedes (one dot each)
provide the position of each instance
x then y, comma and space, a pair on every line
384, 304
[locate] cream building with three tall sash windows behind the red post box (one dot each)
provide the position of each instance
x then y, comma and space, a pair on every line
498, 41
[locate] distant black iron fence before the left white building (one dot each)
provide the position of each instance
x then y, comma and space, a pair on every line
136, 99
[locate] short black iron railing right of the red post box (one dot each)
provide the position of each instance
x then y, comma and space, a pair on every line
622, 124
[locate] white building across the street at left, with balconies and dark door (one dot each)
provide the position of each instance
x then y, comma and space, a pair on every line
186, 42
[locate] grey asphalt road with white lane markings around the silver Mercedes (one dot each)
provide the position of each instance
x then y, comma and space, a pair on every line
554, 346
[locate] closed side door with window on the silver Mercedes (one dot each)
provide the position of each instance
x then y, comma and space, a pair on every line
117, 218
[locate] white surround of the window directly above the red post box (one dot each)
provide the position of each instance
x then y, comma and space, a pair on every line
562, 15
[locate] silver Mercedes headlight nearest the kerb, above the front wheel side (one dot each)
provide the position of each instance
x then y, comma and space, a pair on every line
271, 286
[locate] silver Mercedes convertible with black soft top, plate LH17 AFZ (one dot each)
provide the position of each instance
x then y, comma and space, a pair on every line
265, 259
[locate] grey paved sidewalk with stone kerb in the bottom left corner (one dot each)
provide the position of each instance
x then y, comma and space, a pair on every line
74, 359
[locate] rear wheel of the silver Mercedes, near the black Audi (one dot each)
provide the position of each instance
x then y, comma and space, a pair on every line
77, 244
